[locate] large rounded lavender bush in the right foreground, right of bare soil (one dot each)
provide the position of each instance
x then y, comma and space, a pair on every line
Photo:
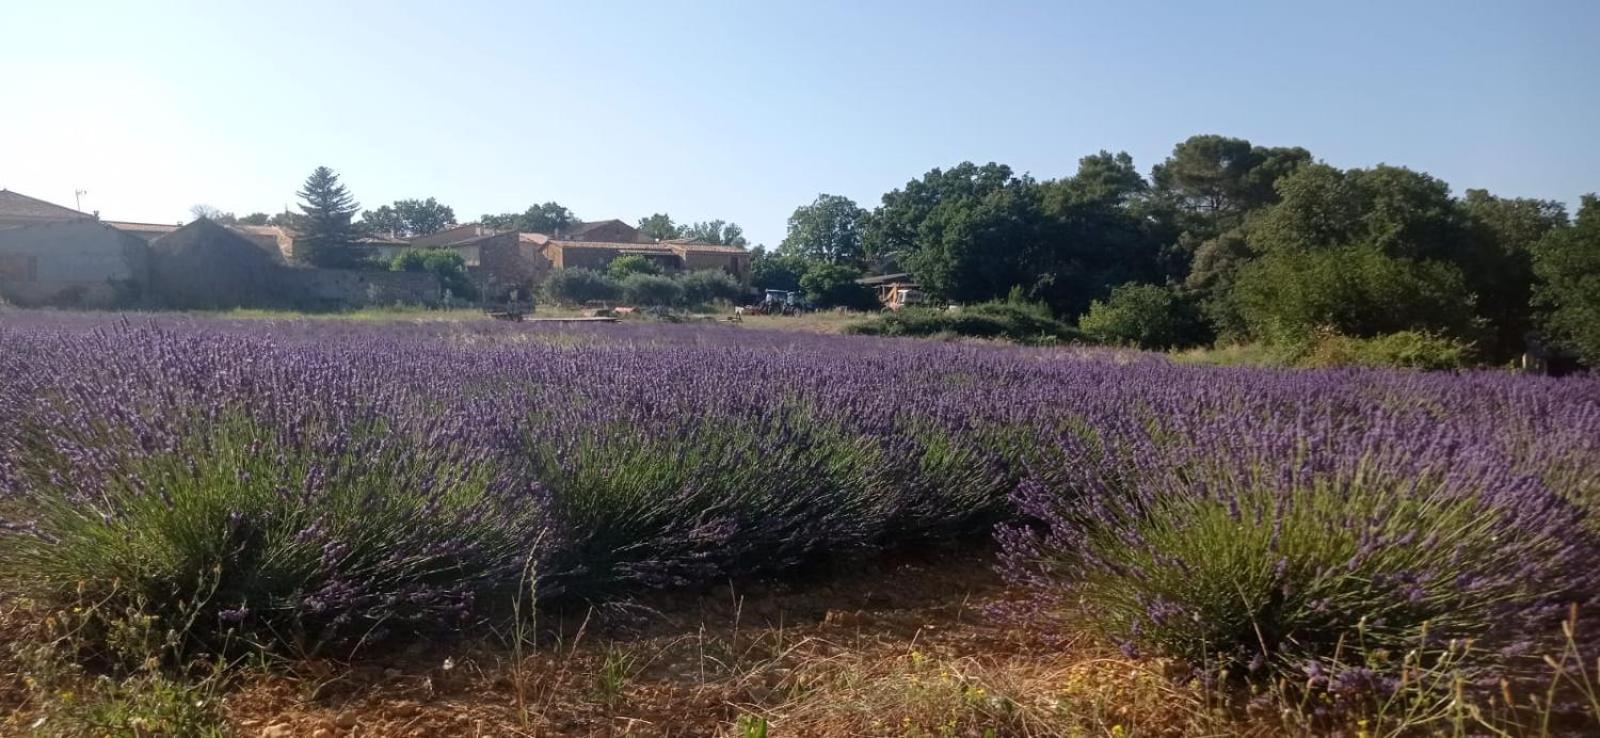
1236, 545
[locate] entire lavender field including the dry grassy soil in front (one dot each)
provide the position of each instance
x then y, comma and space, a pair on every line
319, 527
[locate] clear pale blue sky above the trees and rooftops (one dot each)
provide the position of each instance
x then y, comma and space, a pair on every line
746, 110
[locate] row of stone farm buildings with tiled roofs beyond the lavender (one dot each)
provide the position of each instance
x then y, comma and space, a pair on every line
52, 255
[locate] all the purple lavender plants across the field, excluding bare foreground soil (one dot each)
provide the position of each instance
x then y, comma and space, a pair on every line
343, 481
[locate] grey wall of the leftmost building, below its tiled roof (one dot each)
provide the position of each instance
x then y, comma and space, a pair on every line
71, 265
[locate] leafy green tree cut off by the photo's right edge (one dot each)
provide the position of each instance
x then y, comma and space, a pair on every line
1567, 262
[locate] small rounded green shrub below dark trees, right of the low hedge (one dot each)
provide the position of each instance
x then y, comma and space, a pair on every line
1142, 316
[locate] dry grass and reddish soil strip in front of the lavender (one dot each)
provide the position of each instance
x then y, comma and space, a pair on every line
908, 648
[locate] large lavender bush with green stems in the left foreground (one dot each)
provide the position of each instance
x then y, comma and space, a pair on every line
318, 534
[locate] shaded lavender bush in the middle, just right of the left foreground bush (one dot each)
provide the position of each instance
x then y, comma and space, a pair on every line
649, 511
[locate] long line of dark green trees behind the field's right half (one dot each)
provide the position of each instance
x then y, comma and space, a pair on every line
1223, 243
